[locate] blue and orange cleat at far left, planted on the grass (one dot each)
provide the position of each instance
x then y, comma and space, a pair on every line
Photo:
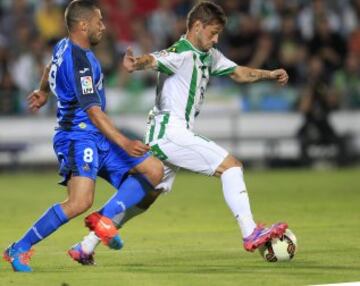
18, 258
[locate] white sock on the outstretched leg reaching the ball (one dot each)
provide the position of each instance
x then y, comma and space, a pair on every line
237, 199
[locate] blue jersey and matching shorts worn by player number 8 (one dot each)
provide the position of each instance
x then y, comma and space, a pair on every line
75, 78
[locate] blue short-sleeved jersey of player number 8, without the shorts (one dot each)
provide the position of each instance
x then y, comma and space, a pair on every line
77, 81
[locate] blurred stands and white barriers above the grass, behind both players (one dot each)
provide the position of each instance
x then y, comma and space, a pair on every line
314, 121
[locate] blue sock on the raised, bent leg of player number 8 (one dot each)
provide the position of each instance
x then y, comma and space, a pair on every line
130, 193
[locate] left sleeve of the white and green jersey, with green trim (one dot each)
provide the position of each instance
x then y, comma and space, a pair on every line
168, 62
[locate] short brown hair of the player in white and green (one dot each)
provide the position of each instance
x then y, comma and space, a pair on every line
207, 13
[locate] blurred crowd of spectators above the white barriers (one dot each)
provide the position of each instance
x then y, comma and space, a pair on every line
317, 42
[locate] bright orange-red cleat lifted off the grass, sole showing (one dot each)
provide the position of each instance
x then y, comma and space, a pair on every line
104, 229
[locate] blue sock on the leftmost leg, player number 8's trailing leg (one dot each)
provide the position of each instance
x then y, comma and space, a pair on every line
50, 221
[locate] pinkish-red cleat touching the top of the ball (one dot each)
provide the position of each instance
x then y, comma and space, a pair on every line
261, 235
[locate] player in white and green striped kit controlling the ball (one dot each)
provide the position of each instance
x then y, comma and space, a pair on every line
184, 71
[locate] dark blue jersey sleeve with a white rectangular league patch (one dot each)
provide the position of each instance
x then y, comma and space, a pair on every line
83, 80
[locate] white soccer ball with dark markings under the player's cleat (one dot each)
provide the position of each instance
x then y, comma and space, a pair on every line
280, 249
